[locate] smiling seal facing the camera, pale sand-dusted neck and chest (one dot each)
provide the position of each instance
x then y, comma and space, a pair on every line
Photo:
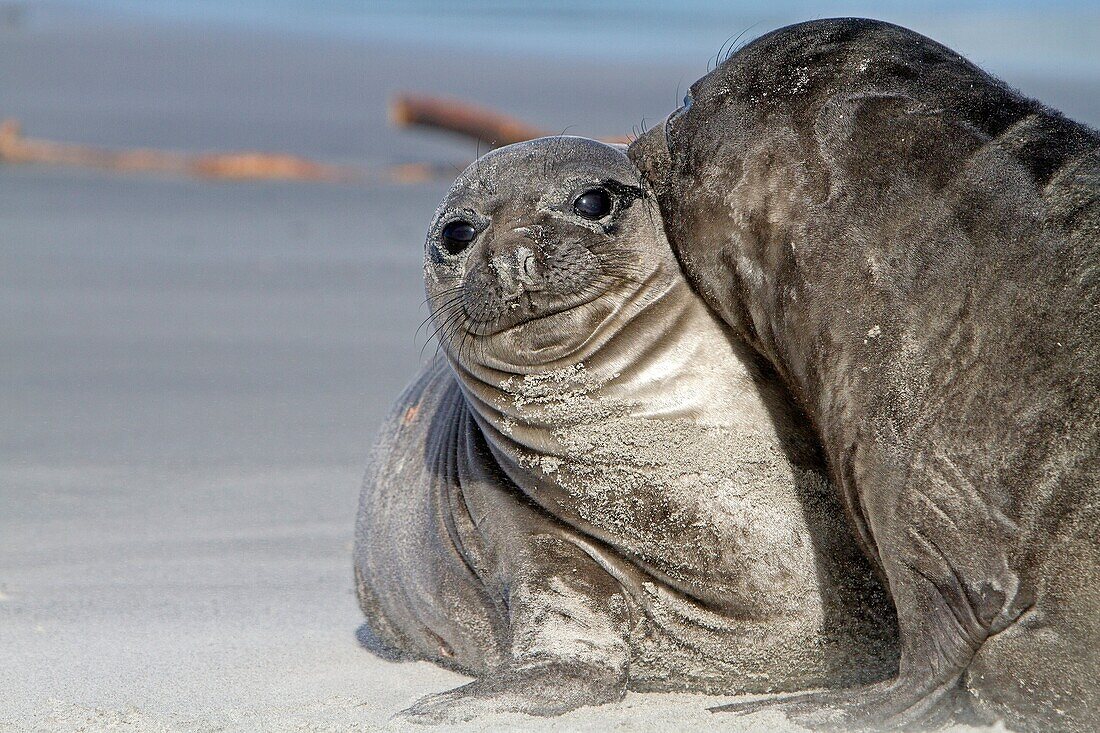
597, 490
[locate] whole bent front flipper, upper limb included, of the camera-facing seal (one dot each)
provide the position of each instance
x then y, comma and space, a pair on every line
569, 621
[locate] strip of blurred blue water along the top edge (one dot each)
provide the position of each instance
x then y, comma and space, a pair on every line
1059, 38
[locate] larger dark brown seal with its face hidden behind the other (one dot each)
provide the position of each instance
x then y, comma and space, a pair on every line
915, 248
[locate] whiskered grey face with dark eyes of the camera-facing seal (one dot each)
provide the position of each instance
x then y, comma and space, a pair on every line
535, 247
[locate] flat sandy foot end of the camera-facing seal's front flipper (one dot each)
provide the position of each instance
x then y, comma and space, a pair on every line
551, 688
